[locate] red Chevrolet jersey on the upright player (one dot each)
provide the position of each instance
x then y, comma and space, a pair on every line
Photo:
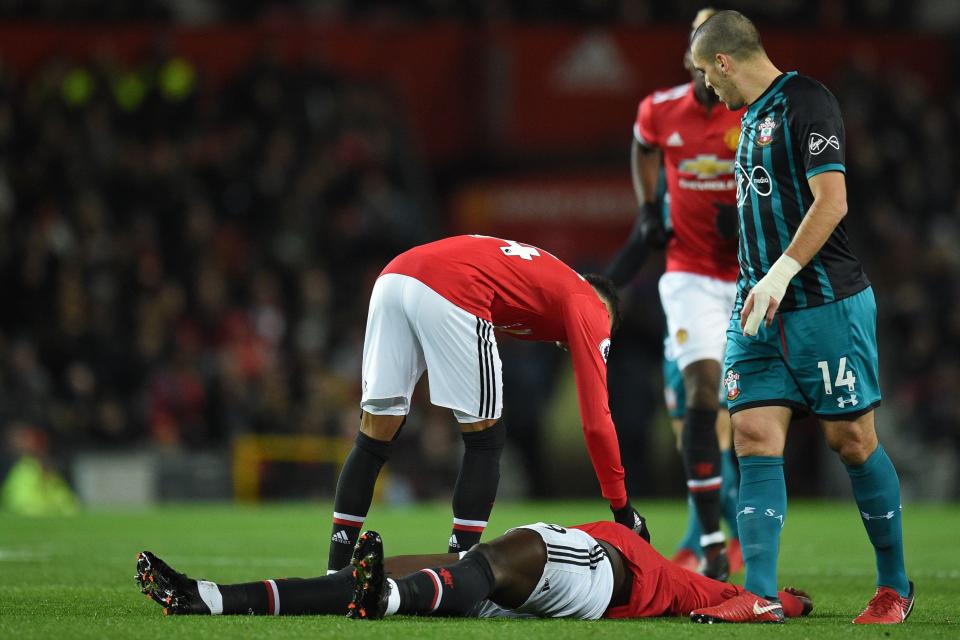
699, 150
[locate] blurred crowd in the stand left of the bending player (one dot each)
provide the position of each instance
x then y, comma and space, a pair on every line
180, 264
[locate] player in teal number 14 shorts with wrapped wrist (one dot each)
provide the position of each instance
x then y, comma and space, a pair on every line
819, 353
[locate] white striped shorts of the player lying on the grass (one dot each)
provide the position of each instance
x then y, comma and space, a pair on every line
577, 580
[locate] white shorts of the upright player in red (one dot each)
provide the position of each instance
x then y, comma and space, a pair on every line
698, 311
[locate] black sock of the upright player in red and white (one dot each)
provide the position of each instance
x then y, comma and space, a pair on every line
701, 461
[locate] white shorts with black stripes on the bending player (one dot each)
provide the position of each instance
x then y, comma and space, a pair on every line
412, 329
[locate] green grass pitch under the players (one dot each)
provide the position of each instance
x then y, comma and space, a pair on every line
73, 577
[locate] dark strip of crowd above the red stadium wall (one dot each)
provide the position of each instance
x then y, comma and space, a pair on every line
933, 14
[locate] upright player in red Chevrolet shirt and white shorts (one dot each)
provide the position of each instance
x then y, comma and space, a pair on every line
686, 130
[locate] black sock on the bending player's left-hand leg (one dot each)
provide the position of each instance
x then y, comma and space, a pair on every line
354, 494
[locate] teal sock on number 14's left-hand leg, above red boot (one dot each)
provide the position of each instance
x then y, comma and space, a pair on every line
760, 517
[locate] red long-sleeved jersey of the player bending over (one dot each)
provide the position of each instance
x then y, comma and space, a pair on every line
528, 293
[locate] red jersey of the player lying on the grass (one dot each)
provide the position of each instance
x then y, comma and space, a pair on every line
660, 587
